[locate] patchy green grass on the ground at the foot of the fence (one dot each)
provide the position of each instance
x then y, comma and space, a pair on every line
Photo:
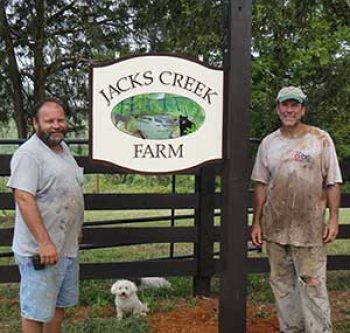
96, 310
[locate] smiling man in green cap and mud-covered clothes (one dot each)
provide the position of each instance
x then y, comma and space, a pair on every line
297, 176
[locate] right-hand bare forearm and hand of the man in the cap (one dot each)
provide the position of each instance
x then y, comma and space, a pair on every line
333, 201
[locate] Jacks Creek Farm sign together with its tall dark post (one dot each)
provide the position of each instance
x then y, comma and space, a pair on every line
164, 114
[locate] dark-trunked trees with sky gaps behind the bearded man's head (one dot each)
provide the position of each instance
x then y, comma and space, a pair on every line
47, 47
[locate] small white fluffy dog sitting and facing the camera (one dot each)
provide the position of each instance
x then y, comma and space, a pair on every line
126, 299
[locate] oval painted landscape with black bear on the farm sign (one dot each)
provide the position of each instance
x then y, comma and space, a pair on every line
158, 116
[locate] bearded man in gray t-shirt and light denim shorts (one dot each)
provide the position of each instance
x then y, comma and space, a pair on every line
47, 187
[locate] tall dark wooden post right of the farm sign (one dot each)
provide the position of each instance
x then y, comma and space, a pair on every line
232, 316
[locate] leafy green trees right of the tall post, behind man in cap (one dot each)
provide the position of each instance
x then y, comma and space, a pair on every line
305, 43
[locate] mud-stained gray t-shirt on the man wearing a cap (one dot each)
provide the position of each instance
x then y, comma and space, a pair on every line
296, 172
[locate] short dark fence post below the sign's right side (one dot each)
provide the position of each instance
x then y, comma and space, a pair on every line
204, 221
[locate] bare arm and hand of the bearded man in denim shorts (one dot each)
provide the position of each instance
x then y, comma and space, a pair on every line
32, 218
